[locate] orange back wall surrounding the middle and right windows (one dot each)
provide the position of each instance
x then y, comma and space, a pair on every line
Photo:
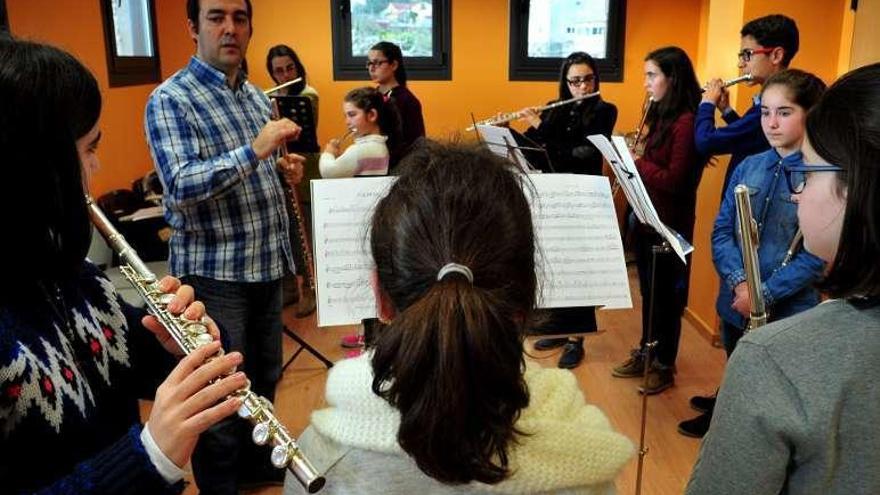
479, 60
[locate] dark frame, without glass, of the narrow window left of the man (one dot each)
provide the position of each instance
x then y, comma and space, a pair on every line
130, 71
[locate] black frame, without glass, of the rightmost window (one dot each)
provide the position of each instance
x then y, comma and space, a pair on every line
525, 68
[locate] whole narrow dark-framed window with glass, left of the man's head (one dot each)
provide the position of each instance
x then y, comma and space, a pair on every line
131, 41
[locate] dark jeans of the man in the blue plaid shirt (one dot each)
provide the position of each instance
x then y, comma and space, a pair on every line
249, 316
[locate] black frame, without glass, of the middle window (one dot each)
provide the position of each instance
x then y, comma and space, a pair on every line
437, 67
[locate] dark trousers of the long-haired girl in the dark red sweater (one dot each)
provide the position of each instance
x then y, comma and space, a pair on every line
670, 292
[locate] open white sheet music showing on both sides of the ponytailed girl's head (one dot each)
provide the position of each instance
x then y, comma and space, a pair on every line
580, 258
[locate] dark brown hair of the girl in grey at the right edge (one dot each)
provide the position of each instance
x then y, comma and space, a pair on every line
844, 129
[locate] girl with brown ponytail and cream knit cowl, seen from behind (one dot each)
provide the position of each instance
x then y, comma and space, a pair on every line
445, 401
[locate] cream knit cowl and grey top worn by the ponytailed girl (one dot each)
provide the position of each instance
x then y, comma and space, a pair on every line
570, 446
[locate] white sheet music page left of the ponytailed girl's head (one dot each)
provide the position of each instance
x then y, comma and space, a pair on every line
342, 210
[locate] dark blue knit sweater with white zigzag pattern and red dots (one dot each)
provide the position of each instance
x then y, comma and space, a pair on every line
69, 420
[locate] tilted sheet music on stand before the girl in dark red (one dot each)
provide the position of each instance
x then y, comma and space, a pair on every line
624, 167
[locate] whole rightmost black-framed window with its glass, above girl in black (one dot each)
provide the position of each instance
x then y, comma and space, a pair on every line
544, 32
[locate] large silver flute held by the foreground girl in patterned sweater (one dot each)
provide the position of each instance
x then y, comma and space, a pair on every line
191, 335
